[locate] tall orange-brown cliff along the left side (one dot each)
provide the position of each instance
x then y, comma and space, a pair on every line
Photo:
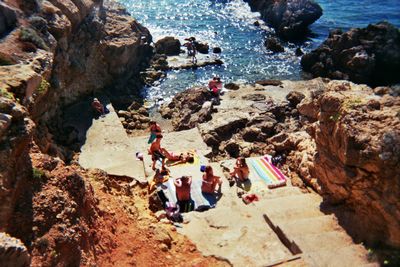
52, 54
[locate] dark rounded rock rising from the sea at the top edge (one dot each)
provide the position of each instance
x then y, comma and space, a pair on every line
290, 18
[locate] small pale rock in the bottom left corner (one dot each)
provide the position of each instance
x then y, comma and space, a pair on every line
13, 252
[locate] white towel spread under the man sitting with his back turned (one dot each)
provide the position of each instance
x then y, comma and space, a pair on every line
201, 201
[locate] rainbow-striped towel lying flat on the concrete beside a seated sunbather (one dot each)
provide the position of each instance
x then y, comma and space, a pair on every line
268, 173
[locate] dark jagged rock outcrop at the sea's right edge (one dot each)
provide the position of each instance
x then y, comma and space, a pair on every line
370, 55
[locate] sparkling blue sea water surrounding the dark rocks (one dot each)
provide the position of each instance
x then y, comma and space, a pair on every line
230, 26
